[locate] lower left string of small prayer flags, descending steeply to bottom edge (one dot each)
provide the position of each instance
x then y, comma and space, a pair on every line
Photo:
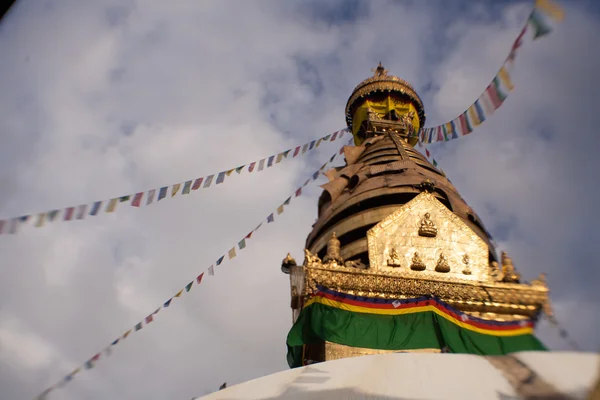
90, 363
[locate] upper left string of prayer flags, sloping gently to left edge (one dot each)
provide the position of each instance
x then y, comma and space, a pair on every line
11, 225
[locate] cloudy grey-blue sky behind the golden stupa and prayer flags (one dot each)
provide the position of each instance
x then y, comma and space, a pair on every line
105, 98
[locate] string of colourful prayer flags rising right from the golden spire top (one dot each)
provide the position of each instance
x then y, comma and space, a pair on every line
539, 23
